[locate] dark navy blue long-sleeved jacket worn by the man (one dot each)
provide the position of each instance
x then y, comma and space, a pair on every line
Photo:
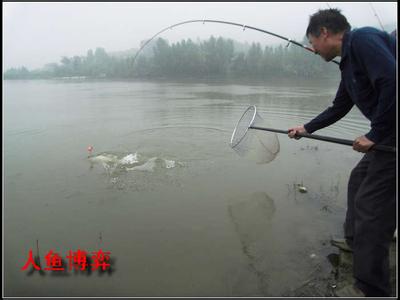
368, 68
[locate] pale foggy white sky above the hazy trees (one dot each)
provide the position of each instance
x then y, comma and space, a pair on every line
38, 33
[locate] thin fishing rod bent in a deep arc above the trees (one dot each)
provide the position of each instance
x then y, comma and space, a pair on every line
243, 26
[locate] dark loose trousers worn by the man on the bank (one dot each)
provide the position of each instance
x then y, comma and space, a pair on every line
371, 220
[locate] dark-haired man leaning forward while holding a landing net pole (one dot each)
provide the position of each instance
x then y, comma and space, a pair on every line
368, 72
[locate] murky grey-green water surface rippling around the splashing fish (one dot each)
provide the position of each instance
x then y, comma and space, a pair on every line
181, 213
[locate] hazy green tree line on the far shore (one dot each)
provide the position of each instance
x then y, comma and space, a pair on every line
215, 57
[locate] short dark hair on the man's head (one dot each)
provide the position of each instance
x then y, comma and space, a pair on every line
331, 18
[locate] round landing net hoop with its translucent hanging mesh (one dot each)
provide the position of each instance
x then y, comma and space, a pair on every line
257, 145
